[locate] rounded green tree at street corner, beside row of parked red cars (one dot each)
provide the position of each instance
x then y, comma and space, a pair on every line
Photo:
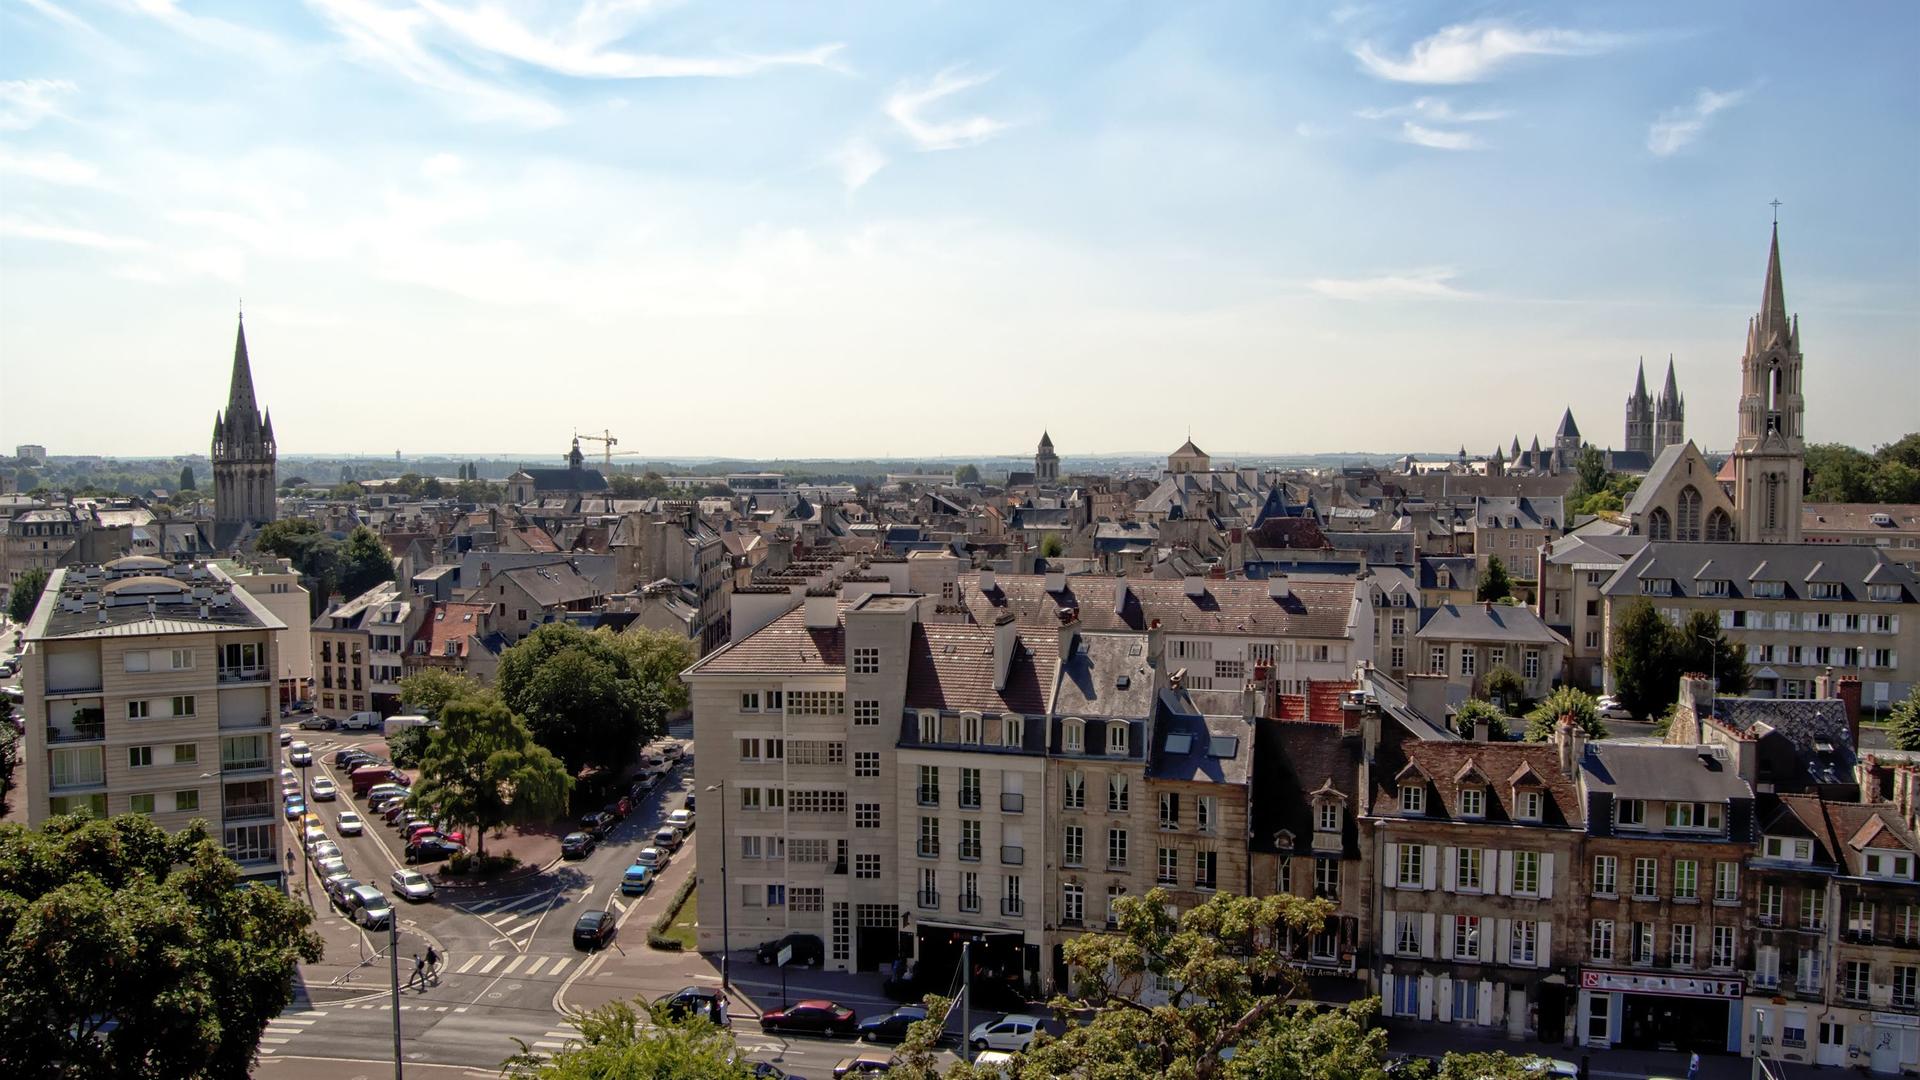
483, 768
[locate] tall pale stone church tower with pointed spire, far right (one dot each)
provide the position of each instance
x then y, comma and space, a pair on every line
1769, 453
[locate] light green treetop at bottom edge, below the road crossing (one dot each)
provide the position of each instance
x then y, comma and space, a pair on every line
617, 1044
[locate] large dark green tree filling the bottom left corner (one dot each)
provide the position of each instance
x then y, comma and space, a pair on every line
120, 921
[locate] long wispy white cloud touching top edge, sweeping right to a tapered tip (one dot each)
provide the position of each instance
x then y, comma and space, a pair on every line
585, 45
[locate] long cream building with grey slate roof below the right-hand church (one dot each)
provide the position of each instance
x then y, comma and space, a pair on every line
1796, 608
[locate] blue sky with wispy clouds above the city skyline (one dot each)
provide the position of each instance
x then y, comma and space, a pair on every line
938, 230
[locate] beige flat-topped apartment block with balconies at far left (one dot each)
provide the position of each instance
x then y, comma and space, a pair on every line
151, 689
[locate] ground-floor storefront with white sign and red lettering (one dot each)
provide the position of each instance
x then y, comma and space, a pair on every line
1660, 1012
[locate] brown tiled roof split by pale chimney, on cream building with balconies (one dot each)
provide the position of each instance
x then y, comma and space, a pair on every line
951, 668
